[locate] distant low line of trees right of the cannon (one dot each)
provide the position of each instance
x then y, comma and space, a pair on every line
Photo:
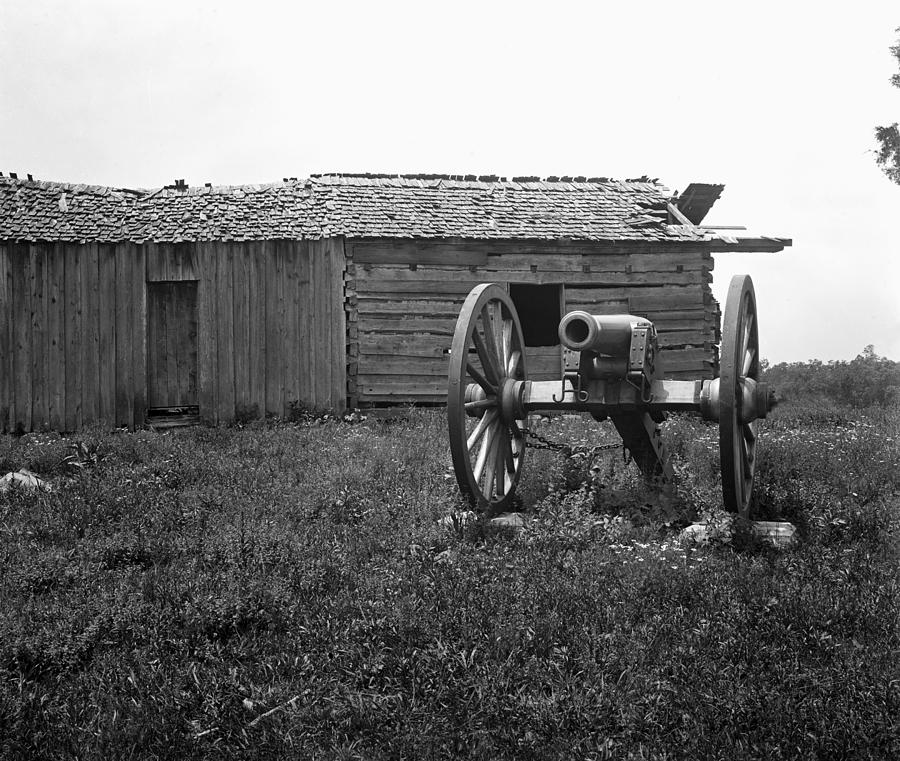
868, 380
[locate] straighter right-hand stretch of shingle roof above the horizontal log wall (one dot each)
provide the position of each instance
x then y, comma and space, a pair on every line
558, 208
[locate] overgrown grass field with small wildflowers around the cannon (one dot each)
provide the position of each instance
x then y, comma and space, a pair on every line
286, 591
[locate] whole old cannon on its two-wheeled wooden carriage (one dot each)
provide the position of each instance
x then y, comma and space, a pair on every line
612, 369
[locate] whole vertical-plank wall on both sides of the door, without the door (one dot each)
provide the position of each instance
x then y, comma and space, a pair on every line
73, 329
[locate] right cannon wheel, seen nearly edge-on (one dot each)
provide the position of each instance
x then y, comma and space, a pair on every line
739, 360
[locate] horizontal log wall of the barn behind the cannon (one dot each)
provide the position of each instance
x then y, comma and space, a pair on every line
405, 297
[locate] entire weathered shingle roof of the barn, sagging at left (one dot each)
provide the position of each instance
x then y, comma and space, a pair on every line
428, 206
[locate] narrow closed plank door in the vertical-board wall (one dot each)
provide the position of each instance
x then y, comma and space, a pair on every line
172, 349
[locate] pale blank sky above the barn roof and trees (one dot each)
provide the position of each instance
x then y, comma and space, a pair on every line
777, 100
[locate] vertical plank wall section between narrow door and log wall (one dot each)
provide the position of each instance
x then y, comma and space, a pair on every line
271, 327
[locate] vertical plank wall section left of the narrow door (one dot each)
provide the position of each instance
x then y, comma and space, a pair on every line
72, 335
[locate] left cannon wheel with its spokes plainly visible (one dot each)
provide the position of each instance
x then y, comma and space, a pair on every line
487, 430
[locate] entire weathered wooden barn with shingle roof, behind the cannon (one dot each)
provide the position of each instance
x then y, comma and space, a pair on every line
124, 306
